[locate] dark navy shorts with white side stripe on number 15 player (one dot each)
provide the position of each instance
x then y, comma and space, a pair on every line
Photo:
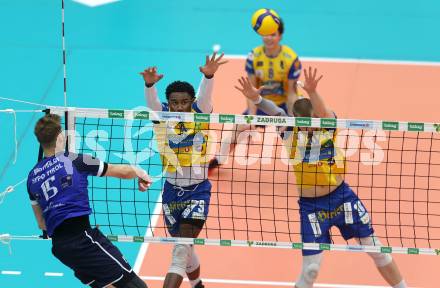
95, 261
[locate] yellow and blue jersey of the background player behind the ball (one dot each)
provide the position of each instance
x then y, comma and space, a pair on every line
274, 72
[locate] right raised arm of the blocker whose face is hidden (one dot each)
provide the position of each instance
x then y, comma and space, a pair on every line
311, 82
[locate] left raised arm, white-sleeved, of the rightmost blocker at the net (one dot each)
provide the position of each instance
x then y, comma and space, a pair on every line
253, 95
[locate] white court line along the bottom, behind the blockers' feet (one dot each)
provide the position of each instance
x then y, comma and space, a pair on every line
266, 283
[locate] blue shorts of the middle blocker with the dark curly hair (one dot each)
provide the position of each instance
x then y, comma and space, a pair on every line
185, 203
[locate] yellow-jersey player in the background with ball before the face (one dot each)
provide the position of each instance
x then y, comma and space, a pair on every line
274, 67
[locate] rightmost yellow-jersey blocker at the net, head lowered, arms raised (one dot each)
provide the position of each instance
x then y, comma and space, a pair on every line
325, 199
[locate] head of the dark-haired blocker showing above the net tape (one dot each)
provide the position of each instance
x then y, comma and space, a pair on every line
180, 96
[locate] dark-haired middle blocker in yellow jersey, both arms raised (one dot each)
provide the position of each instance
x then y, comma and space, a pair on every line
187, 190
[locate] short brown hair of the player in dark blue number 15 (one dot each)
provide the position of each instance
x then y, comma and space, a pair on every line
47, 130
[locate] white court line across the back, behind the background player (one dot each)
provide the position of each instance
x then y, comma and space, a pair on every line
357, 61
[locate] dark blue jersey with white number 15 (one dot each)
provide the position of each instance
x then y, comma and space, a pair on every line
58, 184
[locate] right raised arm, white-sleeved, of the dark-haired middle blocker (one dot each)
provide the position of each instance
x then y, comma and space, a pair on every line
204, 93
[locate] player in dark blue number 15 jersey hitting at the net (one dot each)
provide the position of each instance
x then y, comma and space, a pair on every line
57, 188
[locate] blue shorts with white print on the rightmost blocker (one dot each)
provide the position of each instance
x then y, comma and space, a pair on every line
341, 208
